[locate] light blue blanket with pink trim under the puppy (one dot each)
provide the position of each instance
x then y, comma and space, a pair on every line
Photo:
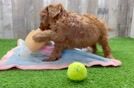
22, 58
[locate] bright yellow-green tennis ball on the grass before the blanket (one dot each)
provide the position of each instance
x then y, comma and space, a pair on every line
77, 71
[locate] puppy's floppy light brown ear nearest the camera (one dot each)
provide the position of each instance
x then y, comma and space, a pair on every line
55, 10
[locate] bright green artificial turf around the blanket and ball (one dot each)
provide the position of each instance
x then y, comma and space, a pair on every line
98, 77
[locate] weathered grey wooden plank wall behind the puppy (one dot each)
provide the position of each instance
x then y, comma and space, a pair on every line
18, 17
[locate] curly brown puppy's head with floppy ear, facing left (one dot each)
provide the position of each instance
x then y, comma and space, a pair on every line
50, 12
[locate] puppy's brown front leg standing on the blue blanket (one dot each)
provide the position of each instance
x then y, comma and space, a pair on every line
56, 54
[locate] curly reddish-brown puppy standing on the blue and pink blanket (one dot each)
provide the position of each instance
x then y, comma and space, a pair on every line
71, 30
